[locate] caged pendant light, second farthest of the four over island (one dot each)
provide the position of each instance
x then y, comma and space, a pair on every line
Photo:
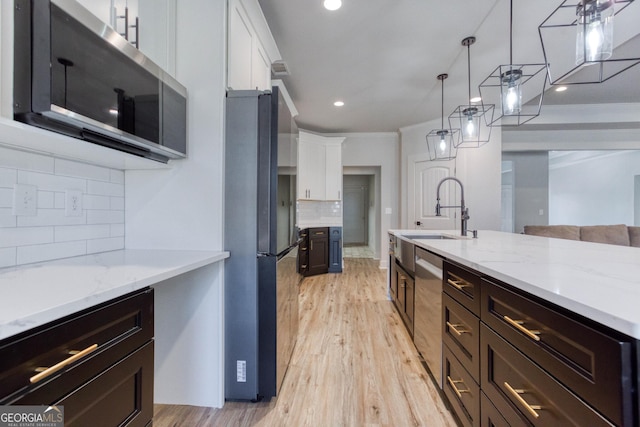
473, 119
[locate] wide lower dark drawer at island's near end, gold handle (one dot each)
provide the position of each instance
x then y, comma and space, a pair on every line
510, 379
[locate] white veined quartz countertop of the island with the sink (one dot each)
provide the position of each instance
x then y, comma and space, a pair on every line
598, 281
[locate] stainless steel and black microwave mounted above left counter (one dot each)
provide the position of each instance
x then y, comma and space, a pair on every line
75, 75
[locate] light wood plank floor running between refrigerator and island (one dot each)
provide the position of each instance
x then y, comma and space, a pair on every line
354, 365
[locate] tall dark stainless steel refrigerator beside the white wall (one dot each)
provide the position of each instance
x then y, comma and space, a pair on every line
261, 279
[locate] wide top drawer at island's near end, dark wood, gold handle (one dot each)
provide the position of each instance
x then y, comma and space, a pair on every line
595, 366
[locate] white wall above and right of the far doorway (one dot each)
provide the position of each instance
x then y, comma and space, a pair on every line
377, 150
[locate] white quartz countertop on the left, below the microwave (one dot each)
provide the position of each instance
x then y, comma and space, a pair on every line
35, 294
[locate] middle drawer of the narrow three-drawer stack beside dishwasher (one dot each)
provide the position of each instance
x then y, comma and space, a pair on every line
461, 333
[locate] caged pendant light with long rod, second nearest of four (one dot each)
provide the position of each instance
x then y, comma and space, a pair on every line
506, 85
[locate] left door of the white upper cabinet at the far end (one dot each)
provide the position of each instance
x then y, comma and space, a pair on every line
311, 170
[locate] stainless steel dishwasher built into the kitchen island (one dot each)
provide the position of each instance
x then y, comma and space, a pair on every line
427, 330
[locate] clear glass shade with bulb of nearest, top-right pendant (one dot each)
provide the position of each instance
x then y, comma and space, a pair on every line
594, 36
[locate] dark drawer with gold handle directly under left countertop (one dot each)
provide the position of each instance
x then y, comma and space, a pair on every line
117, 327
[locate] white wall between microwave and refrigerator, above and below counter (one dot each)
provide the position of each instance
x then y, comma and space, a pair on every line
182, 208
